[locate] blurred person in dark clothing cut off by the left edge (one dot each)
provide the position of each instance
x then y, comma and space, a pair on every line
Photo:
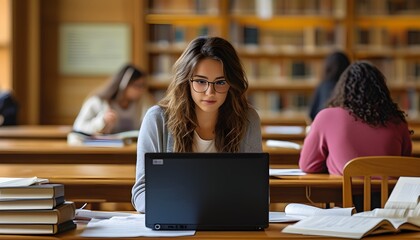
8, 109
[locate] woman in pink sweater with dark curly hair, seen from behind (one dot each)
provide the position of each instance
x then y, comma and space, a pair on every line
361, 120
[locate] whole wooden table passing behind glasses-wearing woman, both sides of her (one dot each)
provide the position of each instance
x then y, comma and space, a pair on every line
58, 151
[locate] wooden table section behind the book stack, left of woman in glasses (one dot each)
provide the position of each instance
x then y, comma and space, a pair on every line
83, 182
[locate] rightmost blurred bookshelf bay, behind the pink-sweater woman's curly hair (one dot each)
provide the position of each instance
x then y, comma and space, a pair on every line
387, 33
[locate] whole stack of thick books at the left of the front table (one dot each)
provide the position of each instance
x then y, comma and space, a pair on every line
35, 209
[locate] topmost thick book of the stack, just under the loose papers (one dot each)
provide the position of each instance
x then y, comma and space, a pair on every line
41, 191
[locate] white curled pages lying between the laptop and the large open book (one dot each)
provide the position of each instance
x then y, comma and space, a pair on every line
294, 212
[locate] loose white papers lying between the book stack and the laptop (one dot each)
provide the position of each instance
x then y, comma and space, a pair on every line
132, 226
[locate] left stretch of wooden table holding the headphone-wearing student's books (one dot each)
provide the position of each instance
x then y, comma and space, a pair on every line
58, 151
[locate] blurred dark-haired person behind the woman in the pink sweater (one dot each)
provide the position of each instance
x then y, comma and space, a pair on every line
334, 66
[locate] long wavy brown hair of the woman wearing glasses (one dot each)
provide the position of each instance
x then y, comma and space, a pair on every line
179, 106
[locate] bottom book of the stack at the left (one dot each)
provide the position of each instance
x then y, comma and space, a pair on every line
34, 229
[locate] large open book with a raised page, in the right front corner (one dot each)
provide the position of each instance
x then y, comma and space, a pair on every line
401, 212
